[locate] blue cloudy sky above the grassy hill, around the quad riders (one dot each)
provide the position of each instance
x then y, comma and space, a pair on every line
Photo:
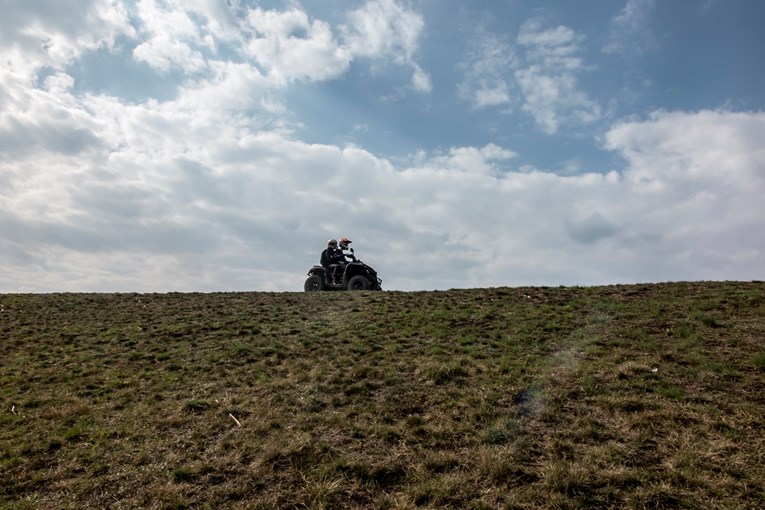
216, 145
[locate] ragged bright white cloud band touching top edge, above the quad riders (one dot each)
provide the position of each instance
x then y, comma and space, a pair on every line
285, 45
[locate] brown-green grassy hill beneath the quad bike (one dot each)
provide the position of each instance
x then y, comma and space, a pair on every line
642, 396
